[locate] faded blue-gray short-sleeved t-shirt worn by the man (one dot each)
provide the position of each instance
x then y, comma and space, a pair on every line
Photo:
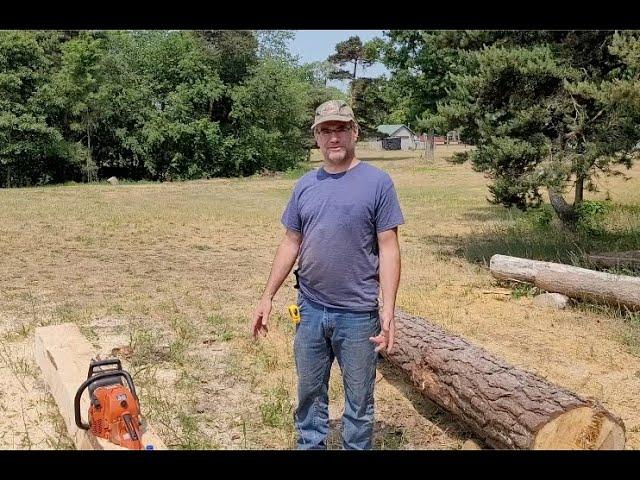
339, 216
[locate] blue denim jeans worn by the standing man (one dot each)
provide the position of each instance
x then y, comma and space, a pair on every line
322, 335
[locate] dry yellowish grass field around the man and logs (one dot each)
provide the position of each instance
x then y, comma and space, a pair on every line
167, 275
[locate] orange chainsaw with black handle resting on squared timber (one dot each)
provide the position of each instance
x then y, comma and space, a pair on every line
114, 410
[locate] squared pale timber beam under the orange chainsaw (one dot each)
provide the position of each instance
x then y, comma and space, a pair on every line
63, 355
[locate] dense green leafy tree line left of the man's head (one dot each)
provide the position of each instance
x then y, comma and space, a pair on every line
156, 105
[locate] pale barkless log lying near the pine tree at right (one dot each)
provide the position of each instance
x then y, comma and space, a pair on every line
575, 282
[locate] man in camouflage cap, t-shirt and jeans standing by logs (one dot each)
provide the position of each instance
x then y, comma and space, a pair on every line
342, 222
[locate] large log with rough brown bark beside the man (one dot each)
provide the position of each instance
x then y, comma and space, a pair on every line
506, 407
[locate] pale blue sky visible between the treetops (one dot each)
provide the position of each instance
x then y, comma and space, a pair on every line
315, 45
